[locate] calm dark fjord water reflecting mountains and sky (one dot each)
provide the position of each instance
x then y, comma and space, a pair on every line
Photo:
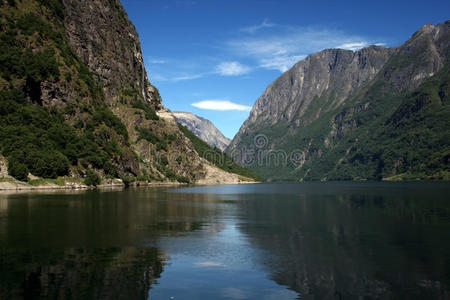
268, 241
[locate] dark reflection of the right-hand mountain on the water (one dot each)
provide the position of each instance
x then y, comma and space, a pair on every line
347, 243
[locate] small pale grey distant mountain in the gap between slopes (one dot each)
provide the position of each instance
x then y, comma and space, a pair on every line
203, 128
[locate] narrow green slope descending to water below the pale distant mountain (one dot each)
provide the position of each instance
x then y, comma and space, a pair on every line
217, 157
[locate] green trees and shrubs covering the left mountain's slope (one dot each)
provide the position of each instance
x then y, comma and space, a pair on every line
37, 139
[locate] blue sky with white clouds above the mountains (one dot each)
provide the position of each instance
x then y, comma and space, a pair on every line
215, 57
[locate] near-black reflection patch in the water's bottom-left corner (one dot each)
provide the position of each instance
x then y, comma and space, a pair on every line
110, 273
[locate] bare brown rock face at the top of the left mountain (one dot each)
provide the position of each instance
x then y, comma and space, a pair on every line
102, 36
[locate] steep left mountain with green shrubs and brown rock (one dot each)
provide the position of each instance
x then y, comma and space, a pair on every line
74, 96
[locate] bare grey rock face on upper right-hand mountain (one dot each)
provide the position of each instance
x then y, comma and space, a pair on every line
332, 73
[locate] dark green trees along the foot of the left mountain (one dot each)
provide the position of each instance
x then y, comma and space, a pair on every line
47, 145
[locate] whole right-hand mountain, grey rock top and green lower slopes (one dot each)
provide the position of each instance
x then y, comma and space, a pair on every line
376, 113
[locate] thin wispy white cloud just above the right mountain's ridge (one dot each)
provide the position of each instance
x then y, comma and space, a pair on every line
283, 46
